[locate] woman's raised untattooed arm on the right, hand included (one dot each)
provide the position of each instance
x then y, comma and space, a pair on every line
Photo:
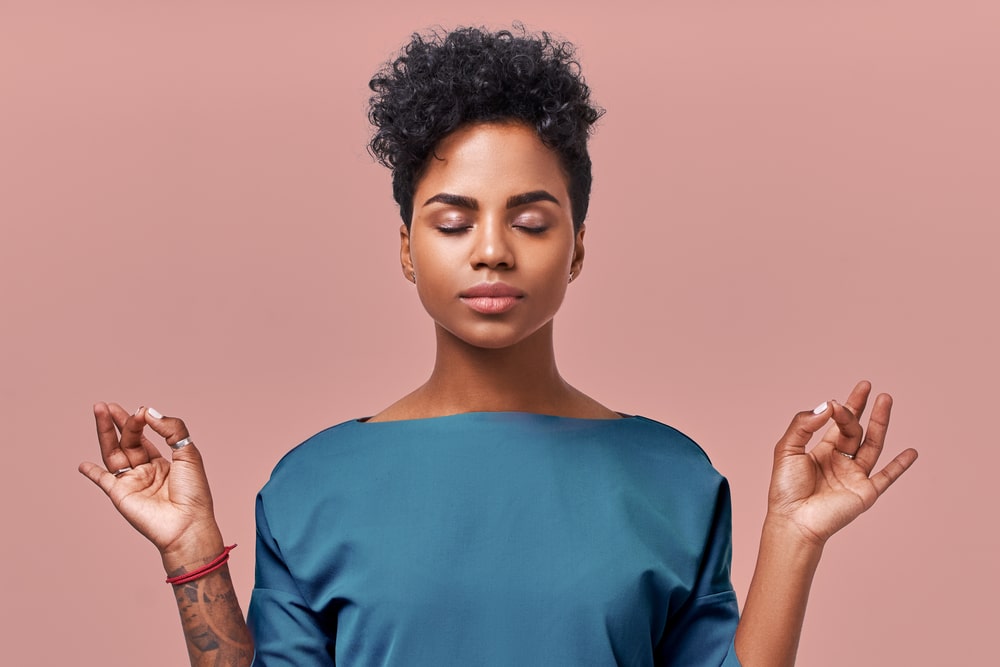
813, 495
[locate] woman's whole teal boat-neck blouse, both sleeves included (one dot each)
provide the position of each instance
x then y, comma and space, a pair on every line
497, 538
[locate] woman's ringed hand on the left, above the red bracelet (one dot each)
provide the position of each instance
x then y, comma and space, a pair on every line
168, 501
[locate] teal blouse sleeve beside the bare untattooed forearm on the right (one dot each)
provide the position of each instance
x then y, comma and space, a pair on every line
702, 632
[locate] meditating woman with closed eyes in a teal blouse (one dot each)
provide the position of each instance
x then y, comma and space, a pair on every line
494, 515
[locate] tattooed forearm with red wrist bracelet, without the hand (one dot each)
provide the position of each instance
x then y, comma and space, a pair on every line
214, 627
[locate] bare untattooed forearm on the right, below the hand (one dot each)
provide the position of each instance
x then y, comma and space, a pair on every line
771, 623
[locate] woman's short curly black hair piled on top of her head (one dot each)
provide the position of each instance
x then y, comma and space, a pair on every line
440, 82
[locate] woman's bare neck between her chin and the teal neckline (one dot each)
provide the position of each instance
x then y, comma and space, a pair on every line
522, 377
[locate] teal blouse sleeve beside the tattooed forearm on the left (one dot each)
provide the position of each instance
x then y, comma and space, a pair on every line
285, 630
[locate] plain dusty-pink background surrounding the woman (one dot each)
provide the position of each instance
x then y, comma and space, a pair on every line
788, 198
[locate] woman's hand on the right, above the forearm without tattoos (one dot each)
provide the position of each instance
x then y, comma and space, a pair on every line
822, 490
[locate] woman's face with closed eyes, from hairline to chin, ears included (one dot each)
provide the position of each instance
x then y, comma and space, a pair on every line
491, 243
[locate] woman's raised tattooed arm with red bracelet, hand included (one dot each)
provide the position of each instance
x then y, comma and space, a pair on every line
169, 503
